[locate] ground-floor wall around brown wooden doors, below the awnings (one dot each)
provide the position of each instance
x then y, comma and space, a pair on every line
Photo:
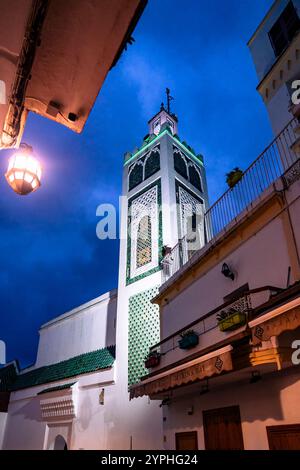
272, 401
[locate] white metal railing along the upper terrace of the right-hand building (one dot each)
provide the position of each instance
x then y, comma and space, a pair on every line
279, 159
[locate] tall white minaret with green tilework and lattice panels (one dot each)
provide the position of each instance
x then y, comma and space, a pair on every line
164, 188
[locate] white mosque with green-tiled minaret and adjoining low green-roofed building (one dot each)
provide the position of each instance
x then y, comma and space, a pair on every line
76, 396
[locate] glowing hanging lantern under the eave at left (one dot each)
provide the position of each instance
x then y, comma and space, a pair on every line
24, 171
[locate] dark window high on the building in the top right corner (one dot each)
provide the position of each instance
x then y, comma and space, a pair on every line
284, 30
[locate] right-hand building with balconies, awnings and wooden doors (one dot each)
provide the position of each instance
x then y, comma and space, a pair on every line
228, 367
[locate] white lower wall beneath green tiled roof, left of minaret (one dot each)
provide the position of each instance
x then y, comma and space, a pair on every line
88, 430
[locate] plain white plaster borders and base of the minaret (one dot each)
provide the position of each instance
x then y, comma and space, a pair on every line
139, 422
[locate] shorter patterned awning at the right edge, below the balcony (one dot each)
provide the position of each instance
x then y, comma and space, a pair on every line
284, 318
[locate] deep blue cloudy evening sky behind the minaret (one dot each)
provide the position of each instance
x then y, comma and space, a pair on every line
51, 260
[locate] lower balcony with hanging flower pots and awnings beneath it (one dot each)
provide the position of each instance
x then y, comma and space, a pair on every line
230, 354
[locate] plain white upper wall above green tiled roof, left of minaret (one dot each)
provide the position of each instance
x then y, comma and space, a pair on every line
84, 329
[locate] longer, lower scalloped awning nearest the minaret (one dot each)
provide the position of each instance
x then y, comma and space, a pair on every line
212, 364
